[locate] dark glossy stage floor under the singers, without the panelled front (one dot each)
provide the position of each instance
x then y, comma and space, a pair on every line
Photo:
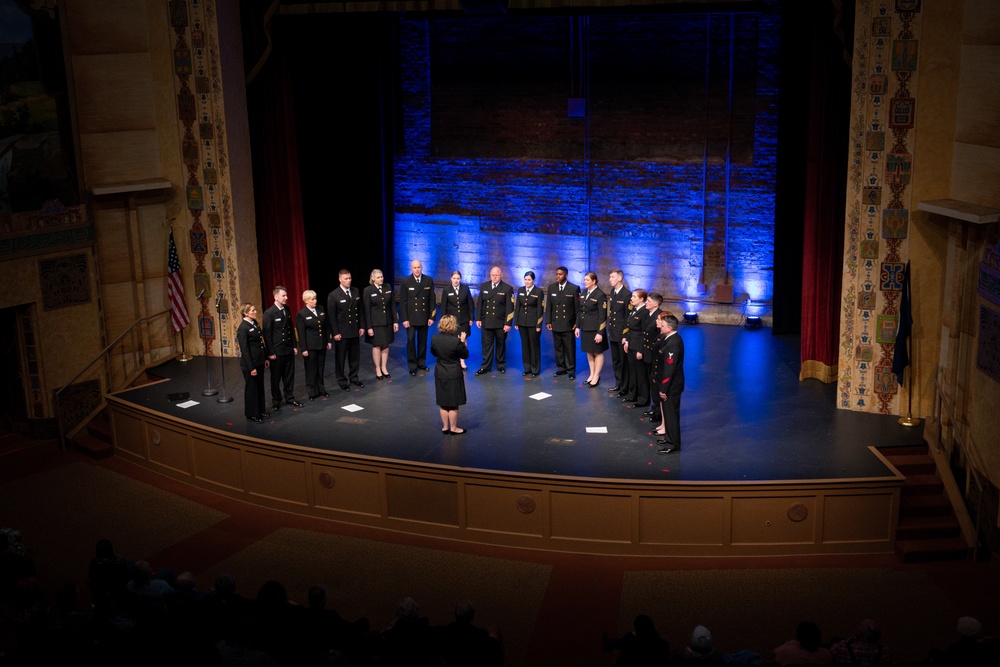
744, 416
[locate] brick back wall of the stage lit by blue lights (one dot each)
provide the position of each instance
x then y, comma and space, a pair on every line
671, 177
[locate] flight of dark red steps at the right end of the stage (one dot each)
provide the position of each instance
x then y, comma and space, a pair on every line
927, 529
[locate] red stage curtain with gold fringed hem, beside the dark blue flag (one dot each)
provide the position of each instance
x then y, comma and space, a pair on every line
823, 215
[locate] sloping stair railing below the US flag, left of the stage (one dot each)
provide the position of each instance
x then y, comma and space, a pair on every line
115, 367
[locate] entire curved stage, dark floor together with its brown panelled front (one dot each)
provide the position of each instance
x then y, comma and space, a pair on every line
751, 430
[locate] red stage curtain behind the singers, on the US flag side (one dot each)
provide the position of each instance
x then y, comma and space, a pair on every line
281, 240
